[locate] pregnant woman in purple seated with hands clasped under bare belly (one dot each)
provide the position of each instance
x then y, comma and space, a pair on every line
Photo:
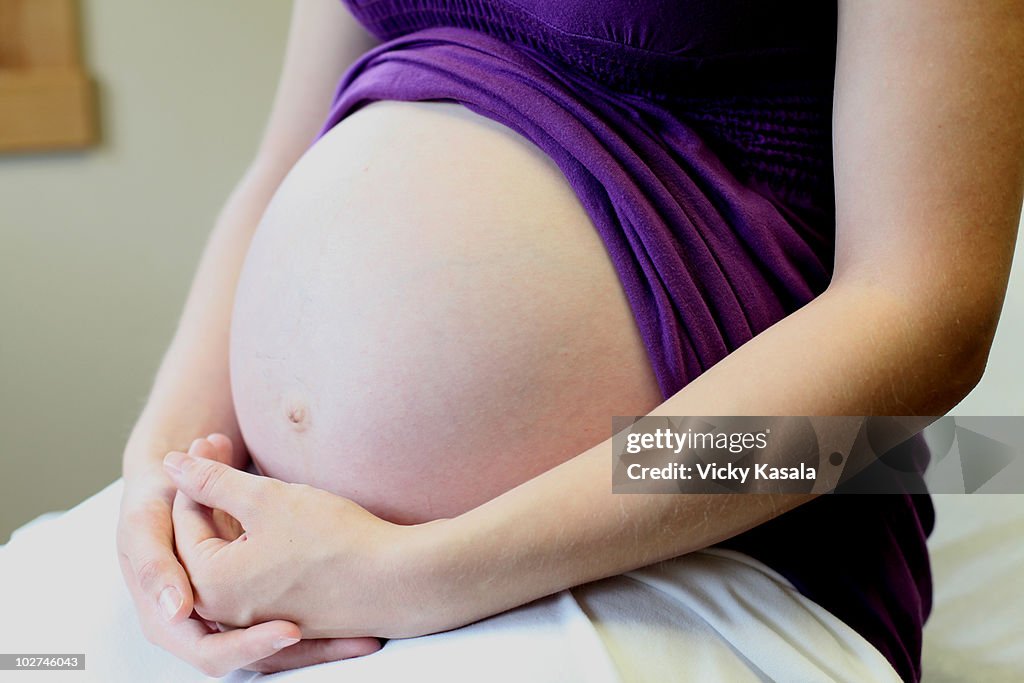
523, 219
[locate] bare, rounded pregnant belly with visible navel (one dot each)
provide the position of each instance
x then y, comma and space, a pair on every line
426, 318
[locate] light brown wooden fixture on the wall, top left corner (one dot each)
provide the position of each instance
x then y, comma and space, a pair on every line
47, 99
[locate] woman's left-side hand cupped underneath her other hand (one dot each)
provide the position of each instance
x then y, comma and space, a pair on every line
162, 593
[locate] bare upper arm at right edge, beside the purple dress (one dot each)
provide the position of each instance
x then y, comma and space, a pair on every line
929, 150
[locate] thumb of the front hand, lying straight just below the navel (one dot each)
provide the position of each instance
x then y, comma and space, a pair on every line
218, 486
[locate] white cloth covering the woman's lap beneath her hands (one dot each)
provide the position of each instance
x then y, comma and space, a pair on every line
713, 616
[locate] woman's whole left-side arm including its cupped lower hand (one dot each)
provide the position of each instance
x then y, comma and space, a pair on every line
192, 393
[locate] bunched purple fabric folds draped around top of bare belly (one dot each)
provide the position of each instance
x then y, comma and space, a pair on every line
706, 262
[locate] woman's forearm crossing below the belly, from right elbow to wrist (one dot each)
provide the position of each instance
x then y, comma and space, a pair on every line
852, 352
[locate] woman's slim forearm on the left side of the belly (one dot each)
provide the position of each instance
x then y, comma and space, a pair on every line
192, 397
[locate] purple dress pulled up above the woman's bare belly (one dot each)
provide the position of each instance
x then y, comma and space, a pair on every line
698, 137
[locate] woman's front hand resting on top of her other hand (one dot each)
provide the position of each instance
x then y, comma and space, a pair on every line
296, 553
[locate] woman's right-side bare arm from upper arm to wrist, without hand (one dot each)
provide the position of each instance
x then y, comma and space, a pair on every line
929, 150
